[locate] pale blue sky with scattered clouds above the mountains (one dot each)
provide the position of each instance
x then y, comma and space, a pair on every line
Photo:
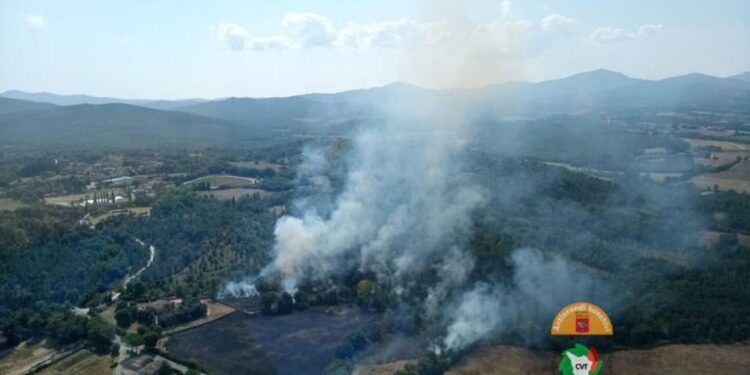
210, 49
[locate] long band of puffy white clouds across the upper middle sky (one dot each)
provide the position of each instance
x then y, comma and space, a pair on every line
503, 37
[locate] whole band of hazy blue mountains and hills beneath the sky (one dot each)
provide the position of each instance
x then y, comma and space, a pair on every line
233, 121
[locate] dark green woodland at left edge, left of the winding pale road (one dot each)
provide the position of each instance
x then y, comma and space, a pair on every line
48, 264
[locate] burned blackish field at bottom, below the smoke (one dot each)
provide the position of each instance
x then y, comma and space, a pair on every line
301, 343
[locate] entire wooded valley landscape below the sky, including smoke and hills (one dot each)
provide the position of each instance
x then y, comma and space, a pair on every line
255, 242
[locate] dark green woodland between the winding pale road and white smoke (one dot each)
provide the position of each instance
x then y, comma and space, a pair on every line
200, 241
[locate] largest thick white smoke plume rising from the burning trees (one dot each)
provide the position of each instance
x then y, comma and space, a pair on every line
403, 203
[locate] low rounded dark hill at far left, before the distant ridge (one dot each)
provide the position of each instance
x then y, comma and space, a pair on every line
116, 126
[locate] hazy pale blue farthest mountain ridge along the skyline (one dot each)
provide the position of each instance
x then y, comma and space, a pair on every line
597, 88
